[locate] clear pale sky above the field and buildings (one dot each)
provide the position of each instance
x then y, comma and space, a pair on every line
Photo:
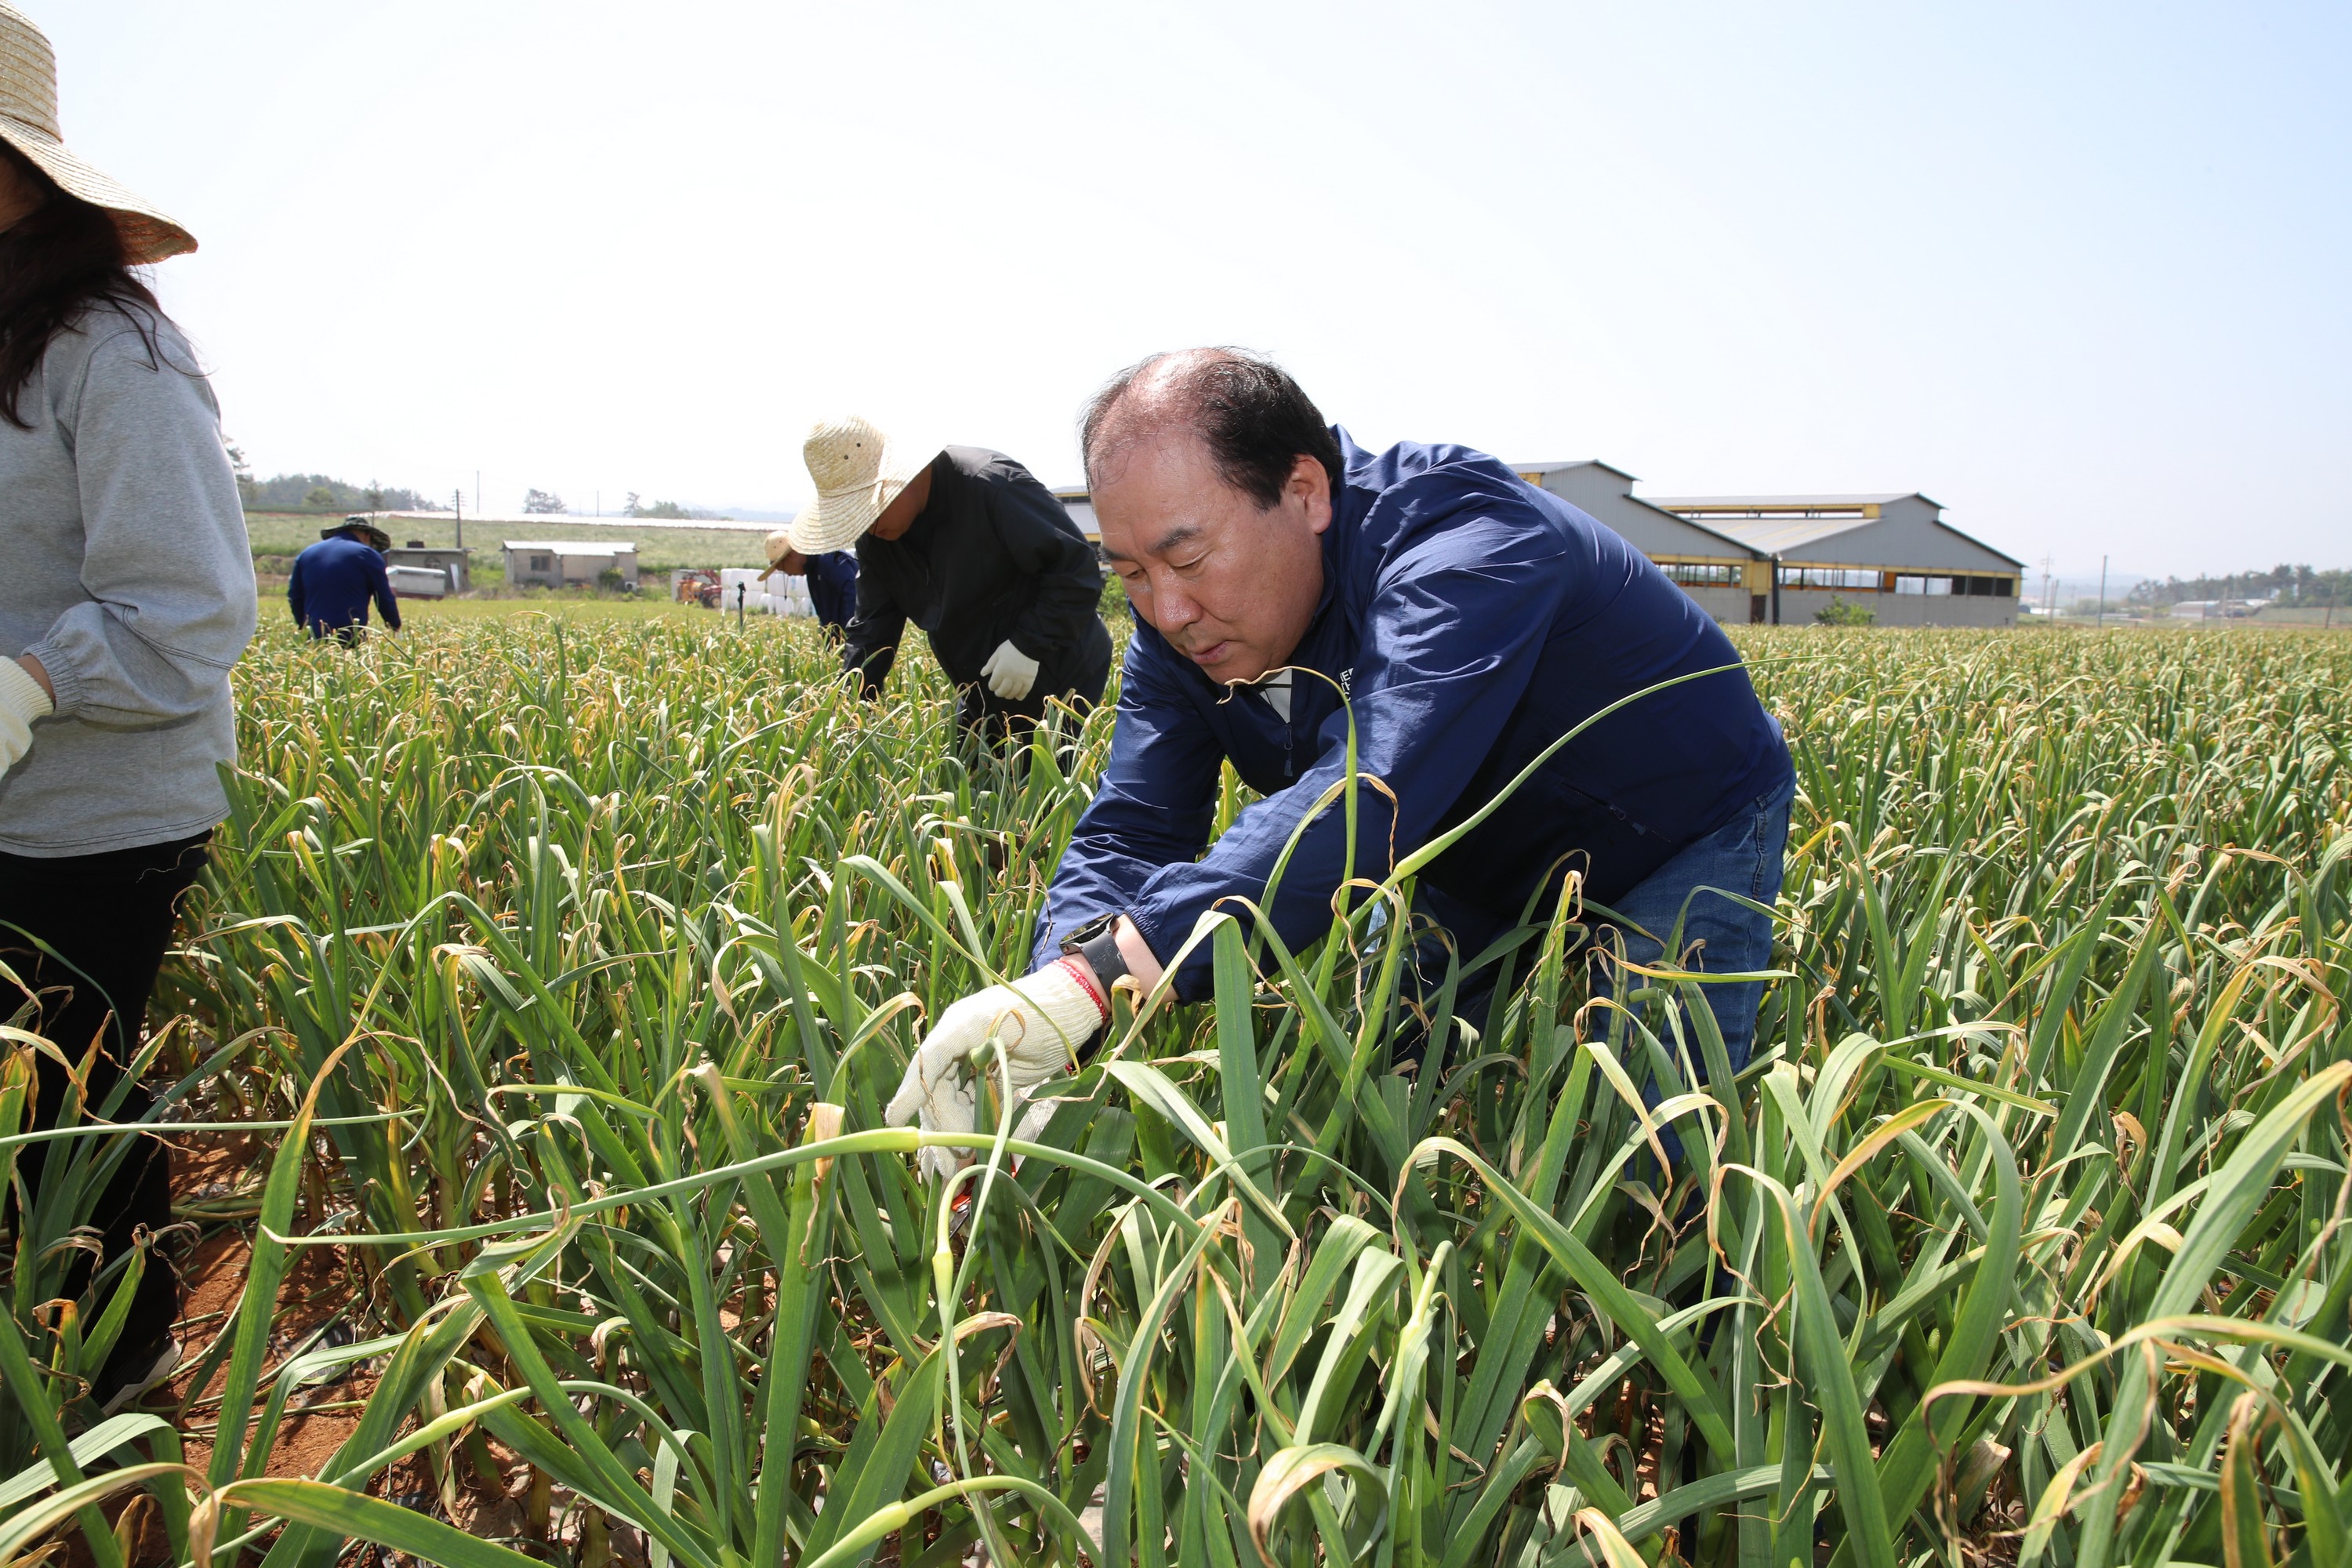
2076, 272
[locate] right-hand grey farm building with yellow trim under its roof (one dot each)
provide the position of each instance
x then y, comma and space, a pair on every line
1887, 554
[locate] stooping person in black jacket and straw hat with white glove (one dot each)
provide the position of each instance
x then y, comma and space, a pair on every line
977, 554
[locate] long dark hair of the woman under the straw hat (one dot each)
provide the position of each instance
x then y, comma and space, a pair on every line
58, 262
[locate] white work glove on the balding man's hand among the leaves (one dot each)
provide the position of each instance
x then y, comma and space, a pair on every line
1043, 1021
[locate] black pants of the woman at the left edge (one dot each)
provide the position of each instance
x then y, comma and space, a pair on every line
109, 918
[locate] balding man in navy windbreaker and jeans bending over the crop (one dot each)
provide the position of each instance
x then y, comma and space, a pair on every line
1471, 622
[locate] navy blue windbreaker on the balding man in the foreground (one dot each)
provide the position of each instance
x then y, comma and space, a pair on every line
1474, 619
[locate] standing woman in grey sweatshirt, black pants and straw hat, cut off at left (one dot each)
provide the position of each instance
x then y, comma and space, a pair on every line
126, 596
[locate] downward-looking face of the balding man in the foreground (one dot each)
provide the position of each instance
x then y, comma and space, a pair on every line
1231, 587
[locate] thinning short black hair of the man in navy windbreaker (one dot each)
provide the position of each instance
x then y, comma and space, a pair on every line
1243, 408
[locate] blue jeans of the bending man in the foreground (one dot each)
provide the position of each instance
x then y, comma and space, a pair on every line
1718, 934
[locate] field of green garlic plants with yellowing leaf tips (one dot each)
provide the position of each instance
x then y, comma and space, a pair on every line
556, 977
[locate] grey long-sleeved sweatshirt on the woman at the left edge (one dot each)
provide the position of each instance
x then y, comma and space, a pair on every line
126, 572
